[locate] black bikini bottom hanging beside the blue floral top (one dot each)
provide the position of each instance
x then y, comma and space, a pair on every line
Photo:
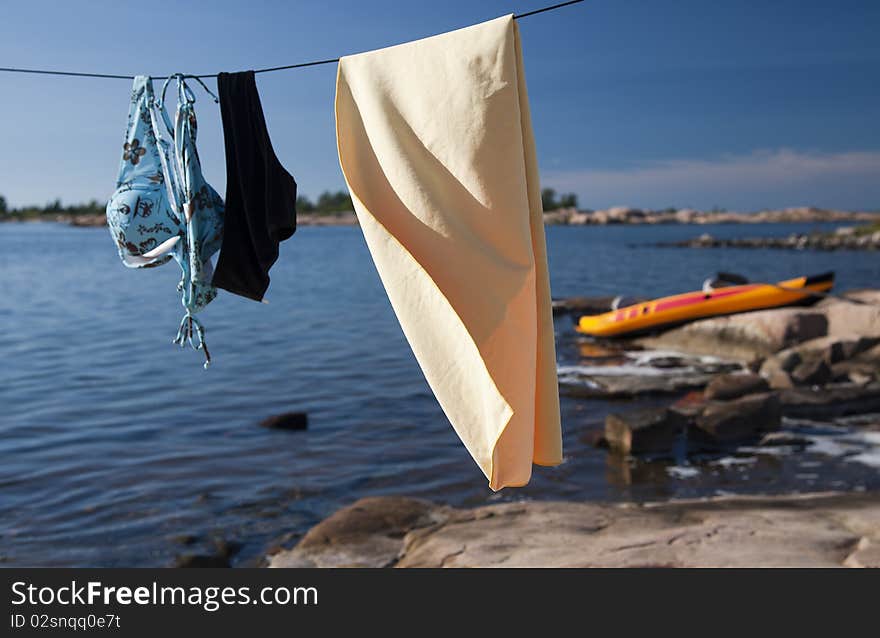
260, 194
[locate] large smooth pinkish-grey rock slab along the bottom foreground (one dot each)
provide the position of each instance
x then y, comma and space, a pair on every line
822, 530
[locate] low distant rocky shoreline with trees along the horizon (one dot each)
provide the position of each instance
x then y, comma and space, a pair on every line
620, 215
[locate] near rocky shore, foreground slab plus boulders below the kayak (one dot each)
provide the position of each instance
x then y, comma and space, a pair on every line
742, 385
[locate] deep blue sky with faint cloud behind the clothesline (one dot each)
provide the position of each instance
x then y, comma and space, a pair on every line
740, 104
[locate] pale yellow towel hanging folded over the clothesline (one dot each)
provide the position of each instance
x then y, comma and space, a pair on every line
435, 141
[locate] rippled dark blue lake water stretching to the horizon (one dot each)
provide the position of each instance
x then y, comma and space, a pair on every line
115, 444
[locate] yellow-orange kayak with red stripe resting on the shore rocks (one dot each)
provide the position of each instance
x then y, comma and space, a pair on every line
678, 309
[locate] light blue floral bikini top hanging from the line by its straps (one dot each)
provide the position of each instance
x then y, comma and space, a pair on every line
162, 207
